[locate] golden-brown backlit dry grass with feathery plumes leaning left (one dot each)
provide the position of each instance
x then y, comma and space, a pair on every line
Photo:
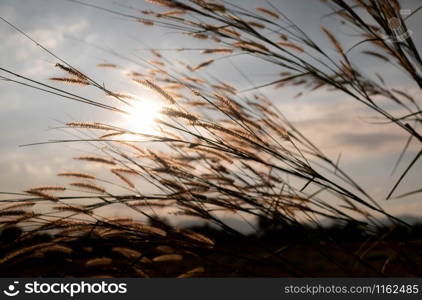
221, 151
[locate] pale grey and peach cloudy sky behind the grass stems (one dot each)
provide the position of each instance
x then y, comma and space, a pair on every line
332, 121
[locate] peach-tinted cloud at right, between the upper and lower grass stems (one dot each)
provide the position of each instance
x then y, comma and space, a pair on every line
337, 124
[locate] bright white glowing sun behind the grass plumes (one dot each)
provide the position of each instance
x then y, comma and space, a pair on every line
142, 116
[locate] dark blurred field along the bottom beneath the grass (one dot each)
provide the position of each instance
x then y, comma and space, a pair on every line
332, 252
